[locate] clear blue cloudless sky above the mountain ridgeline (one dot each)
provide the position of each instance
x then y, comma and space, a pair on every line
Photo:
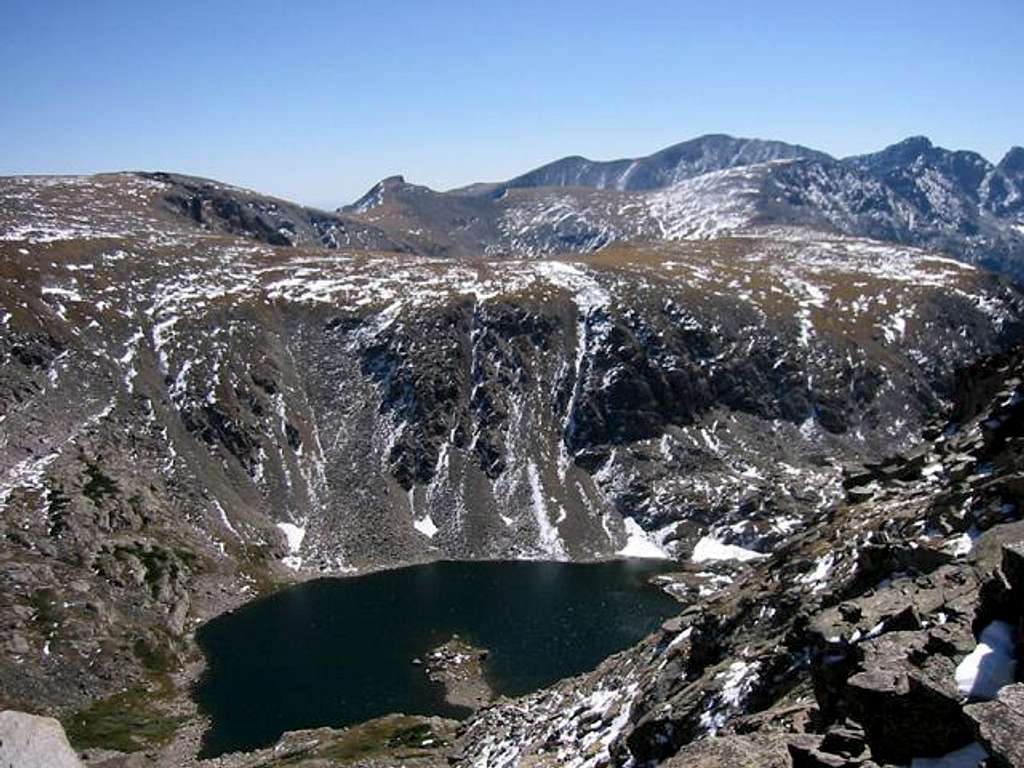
316, 101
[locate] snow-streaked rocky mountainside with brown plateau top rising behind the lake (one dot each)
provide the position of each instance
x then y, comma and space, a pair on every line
190, 414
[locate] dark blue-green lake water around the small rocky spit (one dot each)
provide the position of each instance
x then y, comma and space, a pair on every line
338, 652
